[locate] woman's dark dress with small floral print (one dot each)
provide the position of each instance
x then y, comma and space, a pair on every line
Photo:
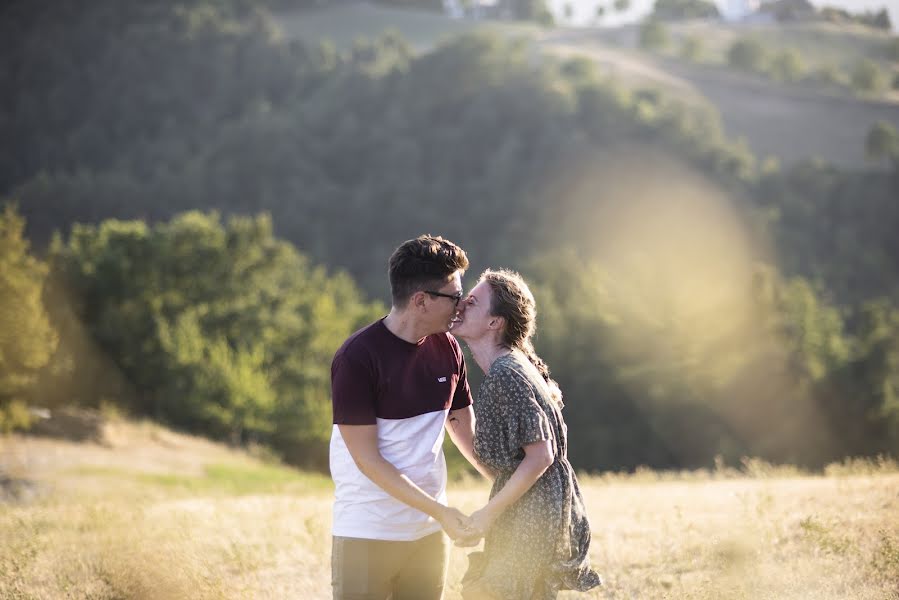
539, 544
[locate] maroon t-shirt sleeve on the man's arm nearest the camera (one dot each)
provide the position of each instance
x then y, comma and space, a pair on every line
352, 390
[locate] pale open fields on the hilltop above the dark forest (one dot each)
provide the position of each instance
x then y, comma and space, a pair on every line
789, 122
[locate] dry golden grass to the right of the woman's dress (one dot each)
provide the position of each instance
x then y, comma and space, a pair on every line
806, 537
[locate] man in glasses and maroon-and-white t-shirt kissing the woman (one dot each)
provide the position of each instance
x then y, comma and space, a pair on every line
397, 385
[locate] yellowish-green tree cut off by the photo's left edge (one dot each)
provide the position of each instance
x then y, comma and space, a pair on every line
27, 340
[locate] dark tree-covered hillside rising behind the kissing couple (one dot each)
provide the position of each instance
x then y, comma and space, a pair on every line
673, 271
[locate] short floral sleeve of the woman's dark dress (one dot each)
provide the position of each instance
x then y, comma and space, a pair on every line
526, 421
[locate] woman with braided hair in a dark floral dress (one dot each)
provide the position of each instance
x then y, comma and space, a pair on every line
537, 536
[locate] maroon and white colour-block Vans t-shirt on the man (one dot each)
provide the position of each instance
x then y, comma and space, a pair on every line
407, 390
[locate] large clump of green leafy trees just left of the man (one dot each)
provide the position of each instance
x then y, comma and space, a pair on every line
221, 329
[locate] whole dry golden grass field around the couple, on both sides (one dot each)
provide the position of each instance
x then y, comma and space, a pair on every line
147, 513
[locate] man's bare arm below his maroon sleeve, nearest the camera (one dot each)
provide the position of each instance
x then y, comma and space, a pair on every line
362, 443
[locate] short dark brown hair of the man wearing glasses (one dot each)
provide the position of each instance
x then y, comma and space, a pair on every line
422, 263
